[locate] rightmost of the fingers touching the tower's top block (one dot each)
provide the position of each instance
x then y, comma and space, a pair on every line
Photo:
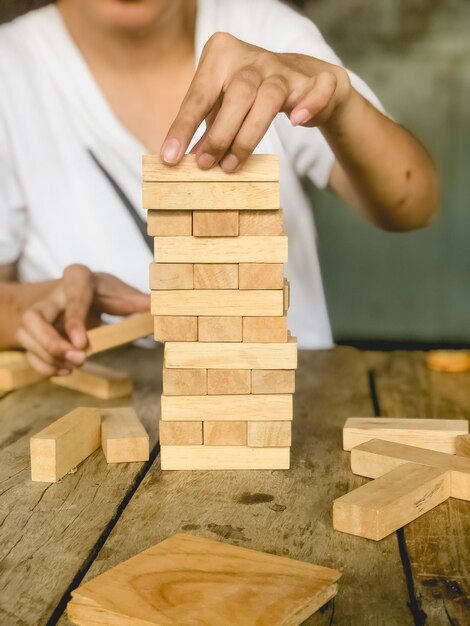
270, 99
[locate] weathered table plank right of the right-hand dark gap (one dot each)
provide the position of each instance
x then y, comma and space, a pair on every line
438, 543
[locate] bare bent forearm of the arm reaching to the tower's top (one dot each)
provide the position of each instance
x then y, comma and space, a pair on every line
390, 171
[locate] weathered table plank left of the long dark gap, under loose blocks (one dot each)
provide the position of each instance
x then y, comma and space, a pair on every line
49, 532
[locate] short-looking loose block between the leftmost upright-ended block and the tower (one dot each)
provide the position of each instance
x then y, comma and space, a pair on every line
123, 437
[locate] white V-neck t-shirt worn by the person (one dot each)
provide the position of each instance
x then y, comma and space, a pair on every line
57, 207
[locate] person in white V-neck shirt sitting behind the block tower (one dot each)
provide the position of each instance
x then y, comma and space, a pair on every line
88, 86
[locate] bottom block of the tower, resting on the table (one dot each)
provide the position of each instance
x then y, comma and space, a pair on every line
223, 458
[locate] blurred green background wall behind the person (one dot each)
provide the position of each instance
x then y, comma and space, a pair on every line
392, 287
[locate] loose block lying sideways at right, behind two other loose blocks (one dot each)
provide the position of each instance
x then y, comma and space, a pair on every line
432, 434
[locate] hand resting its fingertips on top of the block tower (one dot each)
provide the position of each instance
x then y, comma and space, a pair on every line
239, 89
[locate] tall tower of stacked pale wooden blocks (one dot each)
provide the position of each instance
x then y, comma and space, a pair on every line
220, 300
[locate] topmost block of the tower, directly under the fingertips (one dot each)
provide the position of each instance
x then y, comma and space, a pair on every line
257, 168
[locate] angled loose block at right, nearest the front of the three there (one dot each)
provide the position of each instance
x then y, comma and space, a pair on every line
386, 504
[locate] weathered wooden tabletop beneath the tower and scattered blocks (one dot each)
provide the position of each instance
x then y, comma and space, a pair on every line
54, 536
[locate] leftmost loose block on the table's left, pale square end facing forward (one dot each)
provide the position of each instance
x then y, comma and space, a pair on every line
65, 443
